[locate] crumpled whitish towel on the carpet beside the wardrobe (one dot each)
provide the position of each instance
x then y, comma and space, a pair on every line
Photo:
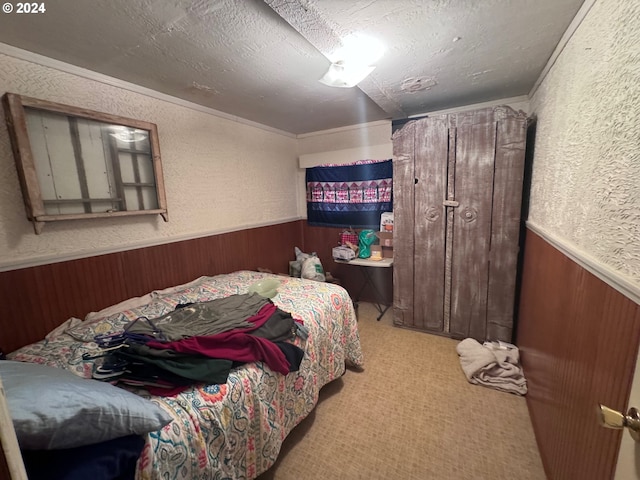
492, 366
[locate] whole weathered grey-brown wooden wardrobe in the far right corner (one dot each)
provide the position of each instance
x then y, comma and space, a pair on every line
457, 182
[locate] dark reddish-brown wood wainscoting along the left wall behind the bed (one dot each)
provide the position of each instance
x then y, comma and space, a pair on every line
37, 299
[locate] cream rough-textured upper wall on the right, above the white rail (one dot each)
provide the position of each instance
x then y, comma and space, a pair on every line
586, 170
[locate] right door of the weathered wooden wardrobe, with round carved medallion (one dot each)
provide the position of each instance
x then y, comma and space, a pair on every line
474, 185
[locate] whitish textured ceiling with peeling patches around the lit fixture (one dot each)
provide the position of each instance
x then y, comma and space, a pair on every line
261, 59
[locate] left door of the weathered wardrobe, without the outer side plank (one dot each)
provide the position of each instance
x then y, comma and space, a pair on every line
431, 154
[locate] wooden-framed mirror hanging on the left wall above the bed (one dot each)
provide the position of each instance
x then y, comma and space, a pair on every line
75, 163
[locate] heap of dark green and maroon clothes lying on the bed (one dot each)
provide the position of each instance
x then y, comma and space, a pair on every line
200, 343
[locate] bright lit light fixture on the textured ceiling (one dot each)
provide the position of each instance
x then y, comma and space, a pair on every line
353, 61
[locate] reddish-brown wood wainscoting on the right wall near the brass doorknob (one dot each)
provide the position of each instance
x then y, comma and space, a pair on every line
578, 339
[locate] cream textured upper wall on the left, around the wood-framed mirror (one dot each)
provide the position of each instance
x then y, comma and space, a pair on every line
220, 175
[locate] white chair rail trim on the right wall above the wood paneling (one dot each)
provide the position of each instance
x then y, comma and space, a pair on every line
610, 276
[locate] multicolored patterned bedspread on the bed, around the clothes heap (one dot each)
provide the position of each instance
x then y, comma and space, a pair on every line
231, 430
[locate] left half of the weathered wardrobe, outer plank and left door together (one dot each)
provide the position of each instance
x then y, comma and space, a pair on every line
420, 185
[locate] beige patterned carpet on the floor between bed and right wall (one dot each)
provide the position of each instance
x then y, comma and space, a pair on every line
410, 414
